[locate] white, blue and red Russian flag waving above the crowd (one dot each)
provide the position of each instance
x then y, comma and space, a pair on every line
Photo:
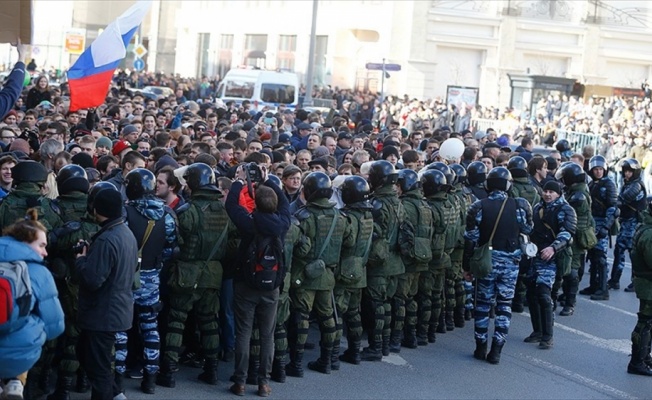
89, 78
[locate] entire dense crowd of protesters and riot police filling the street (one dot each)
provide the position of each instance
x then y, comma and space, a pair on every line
182, 232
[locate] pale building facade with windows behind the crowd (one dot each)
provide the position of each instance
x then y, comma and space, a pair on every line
438, 43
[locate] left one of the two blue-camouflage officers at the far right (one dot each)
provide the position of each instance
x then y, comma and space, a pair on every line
604, 209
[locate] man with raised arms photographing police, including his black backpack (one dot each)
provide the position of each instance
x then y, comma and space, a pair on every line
260, 272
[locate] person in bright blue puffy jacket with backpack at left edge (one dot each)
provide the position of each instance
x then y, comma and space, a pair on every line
30, 311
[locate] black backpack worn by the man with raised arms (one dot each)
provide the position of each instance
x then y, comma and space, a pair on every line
265, 269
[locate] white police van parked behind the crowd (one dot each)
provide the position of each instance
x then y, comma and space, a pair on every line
260, 87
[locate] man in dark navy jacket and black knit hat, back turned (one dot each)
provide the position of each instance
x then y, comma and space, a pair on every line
106, 276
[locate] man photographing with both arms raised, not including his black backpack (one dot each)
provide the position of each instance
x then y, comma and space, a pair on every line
271, 218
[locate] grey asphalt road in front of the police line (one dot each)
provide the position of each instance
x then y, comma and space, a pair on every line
588, 361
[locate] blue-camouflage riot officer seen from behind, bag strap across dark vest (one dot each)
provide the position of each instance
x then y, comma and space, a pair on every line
511, 217
